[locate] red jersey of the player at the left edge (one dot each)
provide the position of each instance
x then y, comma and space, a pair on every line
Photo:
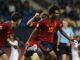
5, 32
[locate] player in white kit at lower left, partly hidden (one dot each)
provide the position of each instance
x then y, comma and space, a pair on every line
14, 55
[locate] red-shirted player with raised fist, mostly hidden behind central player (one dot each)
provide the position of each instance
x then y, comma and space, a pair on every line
37, 54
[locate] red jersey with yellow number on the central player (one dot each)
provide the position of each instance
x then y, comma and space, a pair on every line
46, 29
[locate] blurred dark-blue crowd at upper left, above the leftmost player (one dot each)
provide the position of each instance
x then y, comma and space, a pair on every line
9, 6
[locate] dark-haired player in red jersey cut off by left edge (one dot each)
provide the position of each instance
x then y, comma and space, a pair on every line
6, 29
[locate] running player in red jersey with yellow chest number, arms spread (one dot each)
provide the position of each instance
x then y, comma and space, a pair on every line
46, 28
